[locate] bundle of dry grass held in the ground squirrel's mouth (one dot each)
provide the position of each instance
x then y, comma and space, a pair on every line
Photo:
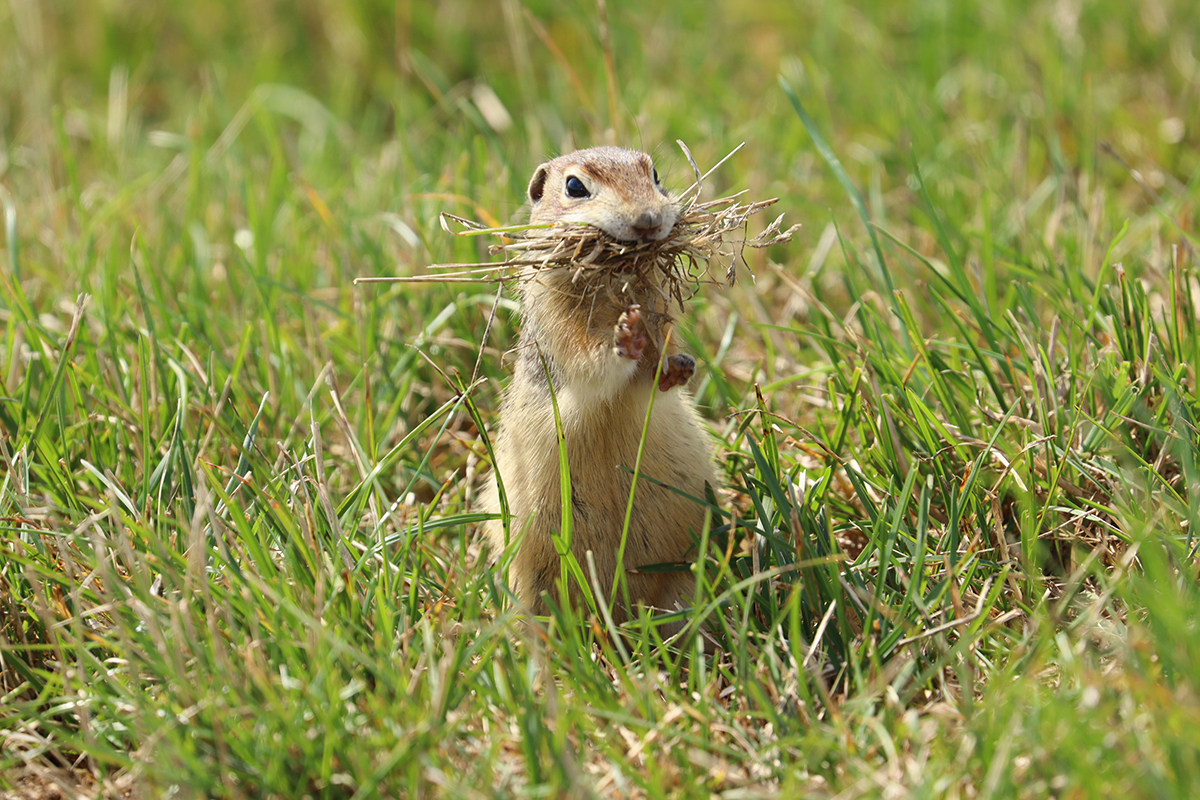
705, 234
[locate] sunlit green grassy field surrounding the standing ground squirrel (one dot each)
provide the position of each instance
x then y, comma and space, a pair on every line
955, 550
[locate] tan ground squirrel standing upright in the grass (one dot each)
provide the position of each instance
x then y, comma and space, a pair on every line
602, 350
